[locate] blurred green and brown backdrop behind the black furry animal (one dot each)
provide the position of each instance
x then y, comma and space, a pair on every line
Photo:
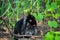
46, 12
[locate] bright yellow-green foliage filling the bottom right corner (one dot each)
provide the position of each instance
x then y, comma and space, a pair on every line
52, 35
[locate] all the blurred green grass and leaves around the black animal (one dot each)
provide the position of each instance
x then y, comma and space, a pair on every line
10, 10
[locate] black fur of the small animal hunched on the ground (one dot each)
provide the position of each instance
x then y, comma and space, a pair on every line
20, 24
